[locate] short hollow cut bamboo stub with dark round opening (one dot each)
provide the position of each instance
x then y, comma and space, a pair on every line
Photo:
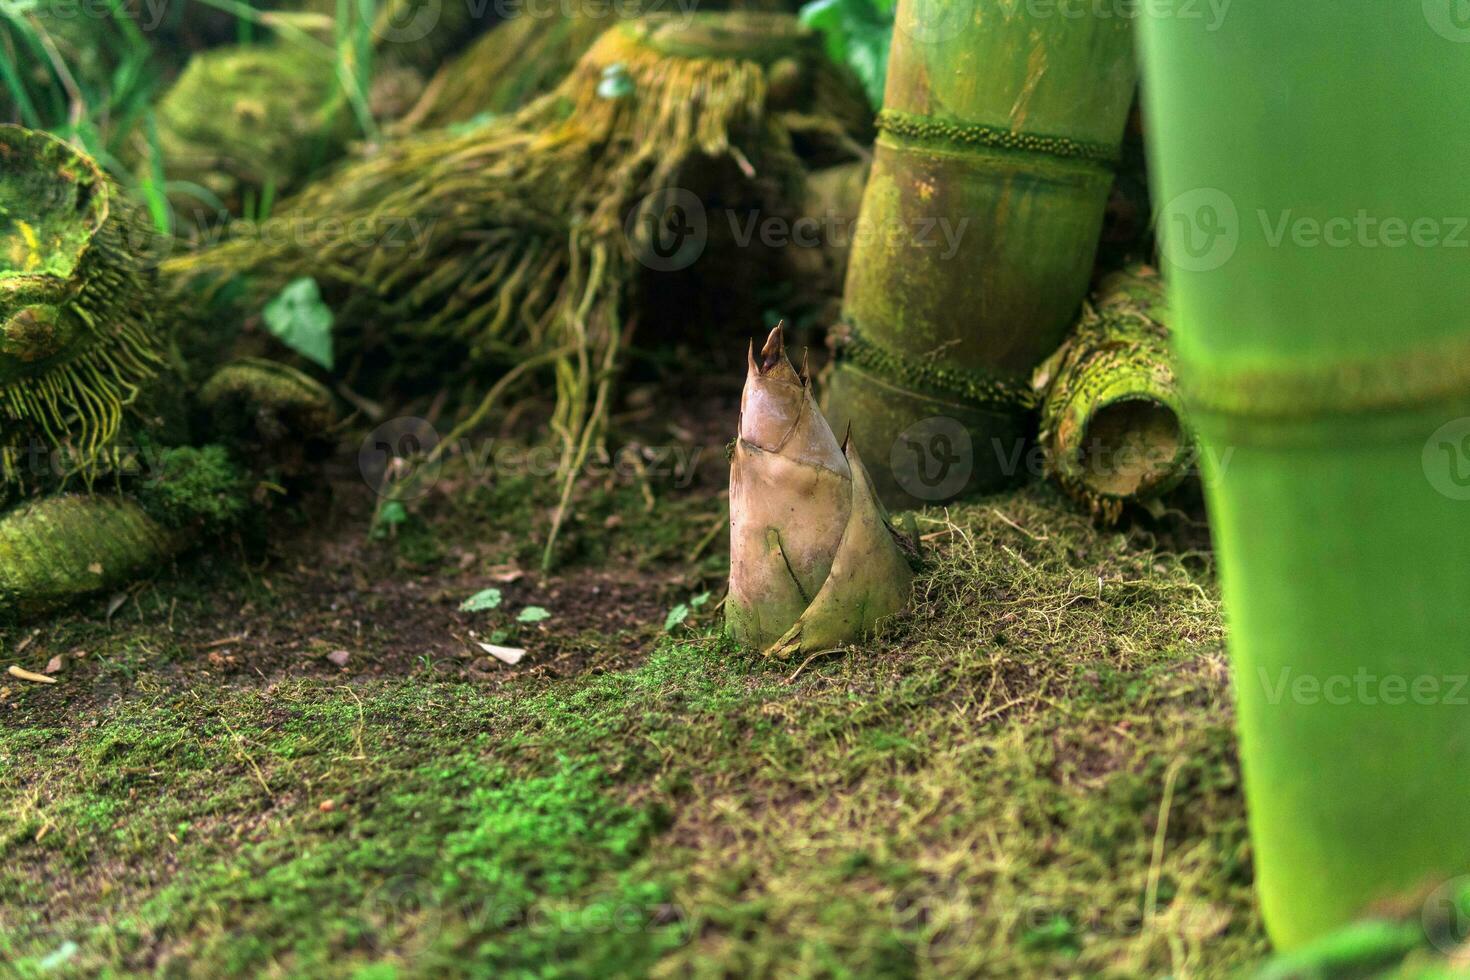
1112, 417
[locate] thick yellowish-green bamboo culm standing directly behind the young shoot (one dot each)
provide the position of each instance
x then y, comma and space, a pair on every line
980, 224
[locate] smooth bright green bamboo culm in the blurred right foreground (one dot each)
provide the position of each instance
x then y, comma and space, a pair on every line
1309, 184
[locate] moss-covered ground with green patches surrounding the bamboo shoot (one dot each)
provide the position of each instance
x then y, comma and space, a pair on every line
1030, 777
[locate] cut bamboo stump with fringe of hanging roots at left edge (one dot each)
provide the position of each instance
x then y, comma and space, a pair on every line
80, 334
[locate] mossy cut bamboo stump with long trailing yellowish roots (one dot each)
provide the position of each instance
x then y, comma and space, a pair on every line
539, 233
